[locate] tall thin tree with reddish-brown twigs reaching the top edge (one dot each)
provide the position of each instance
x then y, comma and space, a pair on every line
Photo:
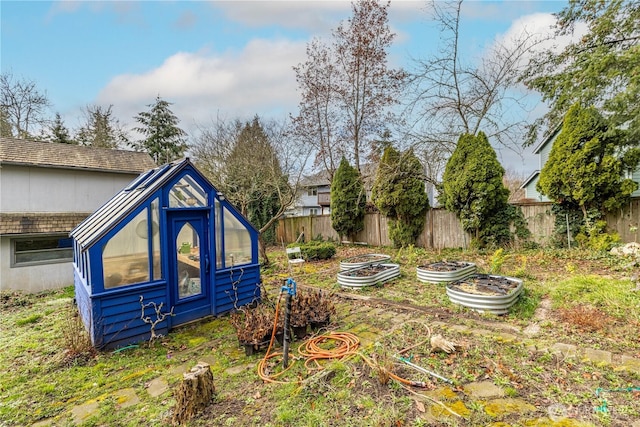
347, 88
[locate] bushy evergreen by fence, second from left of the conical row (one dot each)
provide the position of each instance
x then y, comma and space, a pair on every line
399, 194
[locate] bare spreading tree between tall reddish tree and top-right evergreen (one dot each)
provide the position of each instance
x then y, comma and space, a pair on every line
452, 95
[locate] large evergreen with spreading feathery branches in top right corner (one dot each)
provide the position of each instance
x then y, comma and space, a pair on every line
601, 68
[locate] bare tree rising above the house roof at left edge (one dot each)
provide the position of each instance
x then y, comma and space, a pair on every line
23, 106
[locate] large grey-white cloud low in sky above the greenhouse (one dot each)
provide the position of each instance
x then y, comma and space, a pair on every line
257, 80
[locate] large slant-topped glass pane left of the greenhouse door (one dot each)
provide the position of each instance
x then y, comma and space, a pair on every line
125, 257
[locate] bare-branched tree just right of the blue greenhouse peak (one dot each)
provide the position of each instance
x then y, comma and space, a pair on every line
252, 163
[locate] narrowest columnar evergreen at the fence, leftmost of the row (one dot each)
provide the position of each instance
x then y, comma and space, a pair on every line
347, 200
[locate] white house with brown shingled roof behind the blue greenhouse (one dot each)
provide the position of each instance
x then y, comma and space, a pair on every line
46, 189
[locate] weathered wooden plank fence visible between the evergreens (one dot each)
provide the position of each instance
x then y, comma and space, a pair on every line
443, 229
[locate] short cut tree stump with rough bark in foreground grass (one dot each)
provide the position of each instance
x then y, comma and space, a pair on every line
195, 392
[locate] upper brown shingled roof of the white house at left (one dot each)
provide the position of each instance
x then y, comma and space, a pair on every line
68, 156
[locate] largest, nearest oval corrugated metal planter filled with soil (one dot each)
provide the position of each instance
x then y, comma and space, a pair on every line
484, 292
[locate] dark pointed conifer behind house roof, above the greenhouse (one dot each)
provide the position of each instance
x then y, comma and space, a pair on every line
163, 139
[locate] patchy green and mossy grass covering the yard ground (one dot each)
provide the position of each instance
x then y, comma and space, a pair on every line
46, 368
